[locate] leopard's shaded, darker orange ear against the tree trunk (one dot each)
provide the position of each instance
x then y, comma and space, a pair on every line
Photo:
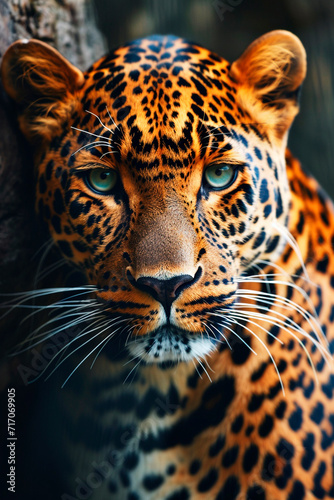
42, 83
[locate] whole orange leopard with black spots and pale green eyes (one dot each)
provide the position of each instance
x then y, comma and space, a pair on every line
201, 363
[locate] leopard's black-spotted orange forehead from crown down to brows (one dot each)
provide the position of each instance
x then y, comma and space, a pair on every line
166, 89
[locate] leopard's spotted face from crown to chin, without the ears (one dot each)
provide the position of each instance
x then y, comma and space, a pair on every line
164, 181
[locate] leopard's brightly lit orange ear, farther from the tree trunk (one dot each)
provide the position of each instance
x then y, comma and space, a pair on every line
270, 73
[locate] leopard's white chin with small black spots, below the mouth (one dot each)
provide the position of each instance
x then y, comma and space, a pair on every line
169, 344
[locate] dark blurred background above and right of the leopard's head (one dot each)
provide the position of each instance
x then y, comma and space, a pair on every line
228, 27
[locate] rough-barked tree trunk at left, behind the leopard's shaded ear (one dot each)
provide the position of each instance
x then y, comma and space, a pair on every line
69, 26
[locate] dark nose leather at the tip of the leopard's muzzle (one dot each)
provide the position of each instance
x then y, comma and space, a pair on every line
165, 291
